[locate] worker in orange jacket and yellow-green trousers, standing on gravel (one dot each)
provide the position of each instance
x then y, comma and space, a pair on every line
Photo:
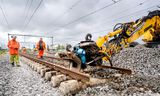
13, 46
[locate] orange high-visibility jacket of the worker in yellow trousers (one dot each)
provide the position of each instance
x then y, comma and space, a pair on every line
13, 46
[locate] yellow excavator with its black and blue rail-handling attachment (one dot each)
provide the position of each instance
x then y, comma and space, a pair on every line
93, 53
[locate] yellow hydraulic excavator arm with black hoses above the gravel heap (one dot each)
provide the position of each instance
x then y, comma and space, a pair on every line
126, 33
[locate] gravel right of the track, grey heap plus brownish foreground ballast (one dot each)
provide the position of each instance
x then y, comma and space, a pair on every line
144, 81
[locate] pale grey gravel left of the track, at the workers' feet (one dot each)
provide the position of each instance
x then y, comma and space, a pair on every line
23, 81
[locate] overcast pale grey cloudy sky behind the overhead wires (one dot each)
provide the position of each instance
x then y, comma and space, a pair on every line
55, 18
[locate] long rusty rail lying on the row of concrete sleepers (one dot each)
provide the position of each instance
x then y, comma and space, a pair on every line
73, 74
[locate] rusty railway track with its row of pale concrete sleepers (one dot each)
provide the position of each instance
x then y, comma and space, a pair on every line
57, 71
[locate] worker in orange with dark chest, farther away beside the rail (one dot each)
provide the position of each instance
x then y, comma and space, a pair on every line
41, 46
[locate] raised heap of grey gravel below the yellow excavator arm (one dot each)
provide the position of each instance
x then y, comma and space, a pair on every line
144, 61
